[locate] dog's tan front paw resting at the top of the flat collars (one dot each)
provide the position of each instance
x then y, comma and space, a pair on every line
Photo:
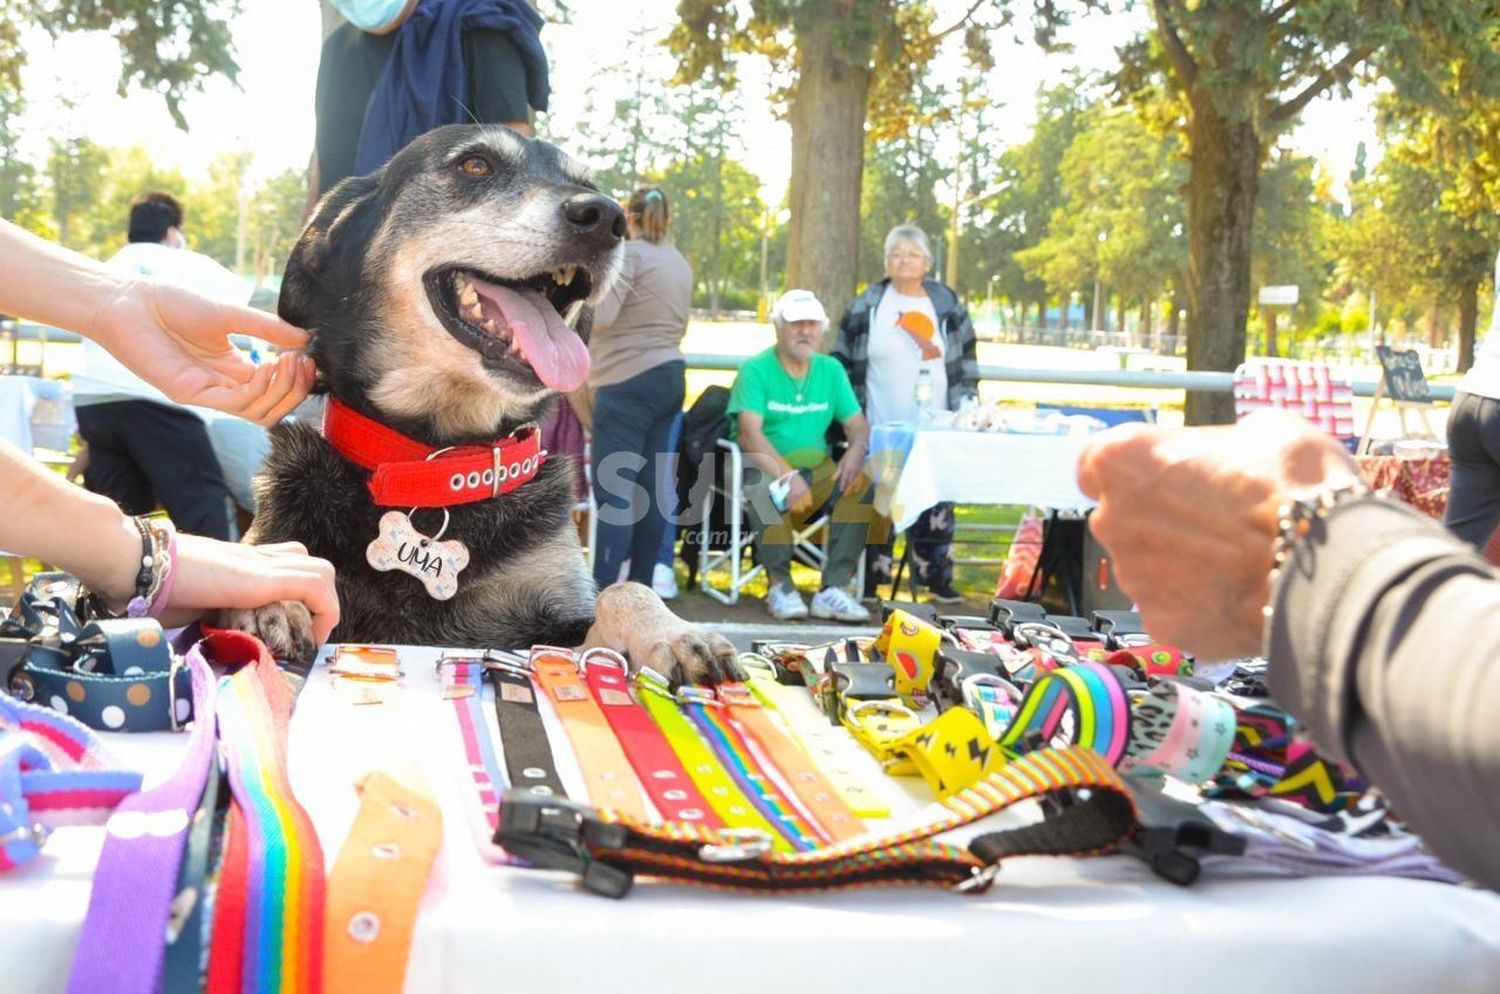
634, 621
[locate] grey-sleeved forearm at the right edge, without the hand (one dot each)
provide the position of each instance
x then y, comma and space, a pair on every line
1384, 644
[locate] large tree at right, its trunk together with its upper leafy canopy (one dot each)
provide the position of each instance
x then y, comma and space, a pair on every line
1241, 73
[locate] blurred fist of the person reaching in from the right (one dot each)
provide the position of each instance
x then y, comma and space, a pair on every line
1190, 519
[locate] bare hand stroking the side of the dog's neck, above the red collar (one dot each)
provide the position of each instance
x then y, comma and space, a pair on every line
179, 343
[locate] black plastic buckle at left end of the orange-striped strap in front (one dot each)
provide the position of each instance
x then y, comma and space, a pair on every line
550, 833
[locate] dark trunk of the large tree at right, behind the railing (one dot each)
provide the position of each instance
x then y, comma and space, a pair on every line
1222, 212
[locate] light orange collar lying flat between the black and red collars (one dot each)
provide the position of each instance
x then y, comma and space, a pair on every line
607, 773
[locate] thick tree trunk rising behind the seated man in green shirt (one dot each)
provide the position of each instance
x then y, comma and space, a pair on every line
827, 115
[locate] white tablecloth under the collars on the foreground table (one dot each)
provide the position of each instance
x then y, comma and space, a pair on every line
1049, 924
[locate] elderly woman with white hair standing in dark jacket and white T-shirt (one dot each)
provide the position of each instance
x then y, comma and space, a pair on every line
893, 332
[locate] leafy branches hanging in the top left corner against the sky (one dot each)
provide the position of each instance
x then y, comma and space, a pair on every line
170, 47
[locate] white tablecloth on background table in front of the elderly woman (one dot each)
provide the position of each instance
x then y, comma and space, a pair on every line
973, 469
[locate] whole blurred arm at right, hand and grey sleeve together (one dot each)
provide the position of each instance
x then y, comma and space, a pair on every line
1382, 630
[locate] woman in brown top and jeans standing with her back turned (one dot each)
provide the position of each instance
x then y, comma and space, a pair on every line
637, 383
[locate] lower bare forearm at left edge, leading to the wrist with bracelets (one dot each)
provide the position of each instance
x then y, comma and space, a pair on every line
46, 518
